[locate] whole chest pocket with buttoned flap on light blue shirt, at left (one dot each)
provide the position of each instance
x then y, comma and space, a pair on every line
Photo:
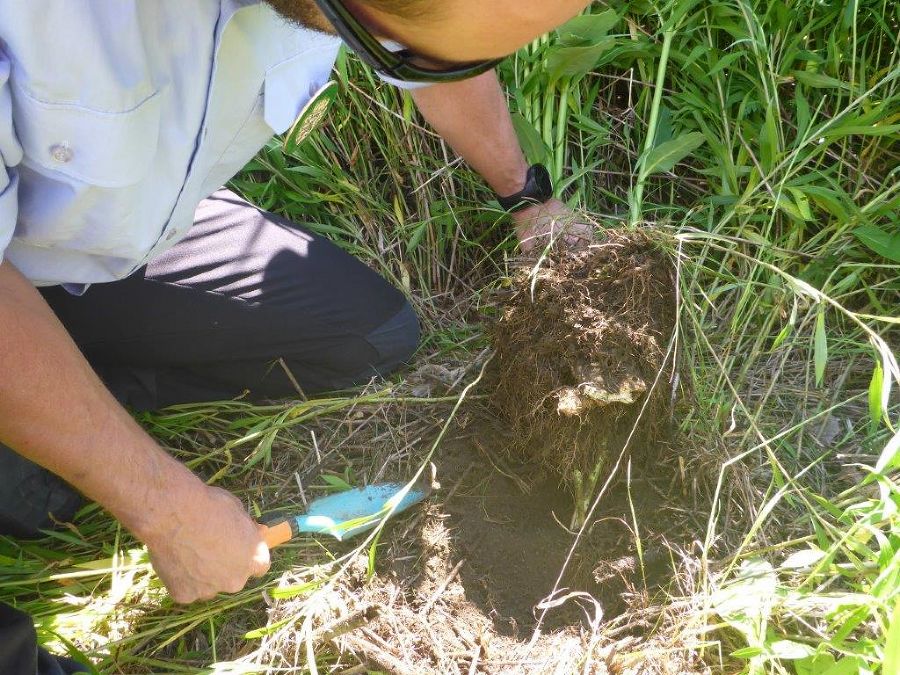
81, 176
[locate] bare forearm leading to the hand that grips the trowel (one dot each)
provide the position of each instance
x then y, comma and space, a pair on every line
55, 411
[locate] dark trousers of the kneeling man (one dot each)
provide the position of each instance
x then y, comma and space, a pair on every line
245, 297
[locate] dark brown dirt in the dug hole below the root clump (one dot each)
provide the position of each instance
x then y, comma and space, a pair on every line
507, 525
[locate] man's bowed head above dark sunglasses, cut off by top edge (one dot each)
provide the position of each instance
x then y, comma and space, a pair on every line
446, 31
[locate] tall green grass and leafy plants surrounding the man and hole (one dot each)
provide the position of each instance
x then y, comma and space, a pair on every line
760, 140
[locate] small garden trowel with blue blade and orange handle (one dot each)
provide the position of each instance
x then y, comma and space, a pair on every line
345, 514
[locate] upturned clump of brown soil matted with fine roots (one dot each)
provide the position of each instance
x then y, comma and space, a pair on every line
578, 348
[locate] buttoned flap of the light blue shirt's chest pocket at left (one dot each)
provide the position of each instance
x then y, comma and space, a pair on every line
106, 149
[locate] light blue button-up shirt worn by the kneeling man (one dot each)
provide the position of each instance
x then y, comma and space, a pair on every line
117, 117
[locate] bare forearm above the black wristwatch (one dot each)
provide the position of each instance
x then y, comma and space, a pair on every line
473, 117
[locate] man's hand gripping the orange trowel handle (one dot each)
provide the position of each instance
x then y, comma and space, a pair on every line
208, 545
